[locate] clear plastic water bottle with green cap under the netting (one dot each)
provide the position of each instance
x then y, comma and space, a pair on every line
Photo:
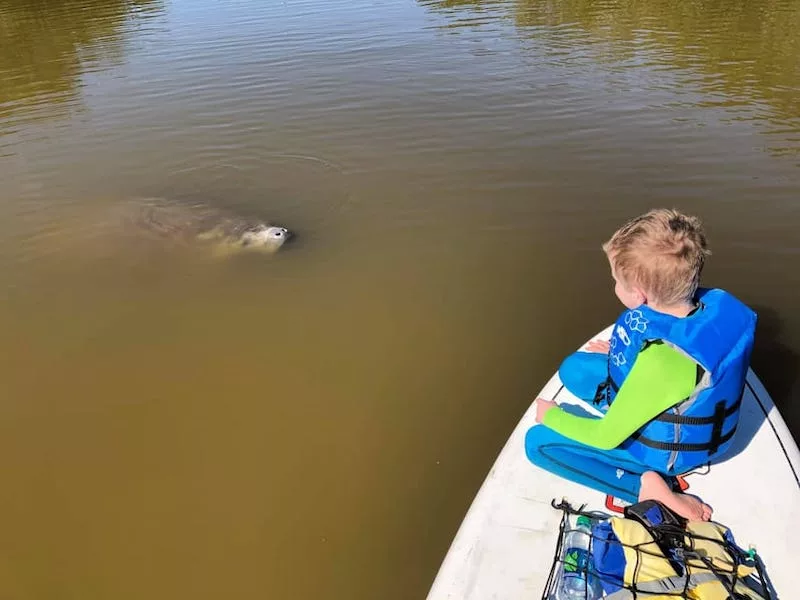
576, 582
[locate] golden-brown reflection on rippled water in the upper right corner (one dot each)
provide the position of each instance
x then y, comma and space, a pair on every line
741, 55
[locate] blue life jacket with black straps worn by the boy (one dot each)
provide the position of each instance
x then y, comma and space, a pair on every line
718, 336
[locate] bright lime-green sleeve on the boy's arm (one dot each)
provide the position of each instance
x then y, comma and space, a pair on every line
660, 378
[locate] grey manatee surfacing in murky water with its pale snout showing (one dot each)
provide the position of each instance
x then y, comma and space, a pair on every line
188, 223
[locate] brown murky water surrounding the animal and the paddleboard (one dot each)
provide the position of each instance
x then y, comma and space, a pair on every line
315, 424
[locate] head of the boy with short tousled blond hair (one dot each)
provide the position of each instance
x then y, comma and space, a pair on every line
657, 258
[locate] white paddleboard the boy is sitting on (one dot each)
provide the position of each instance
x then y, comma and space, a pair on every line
504, 547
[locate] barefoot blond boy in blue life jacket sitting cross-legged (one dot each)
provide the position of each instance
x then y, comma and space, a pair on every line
669, 381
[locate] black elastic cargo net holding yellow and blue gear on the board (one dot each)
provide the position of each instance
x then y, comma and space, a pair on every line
653, 554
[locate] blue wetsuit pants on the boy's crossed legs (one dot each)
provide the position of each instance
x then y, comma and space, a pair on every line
613, 472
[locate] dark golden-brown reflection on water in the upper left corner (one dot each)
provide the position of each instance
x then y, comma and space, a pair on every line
46, 46
